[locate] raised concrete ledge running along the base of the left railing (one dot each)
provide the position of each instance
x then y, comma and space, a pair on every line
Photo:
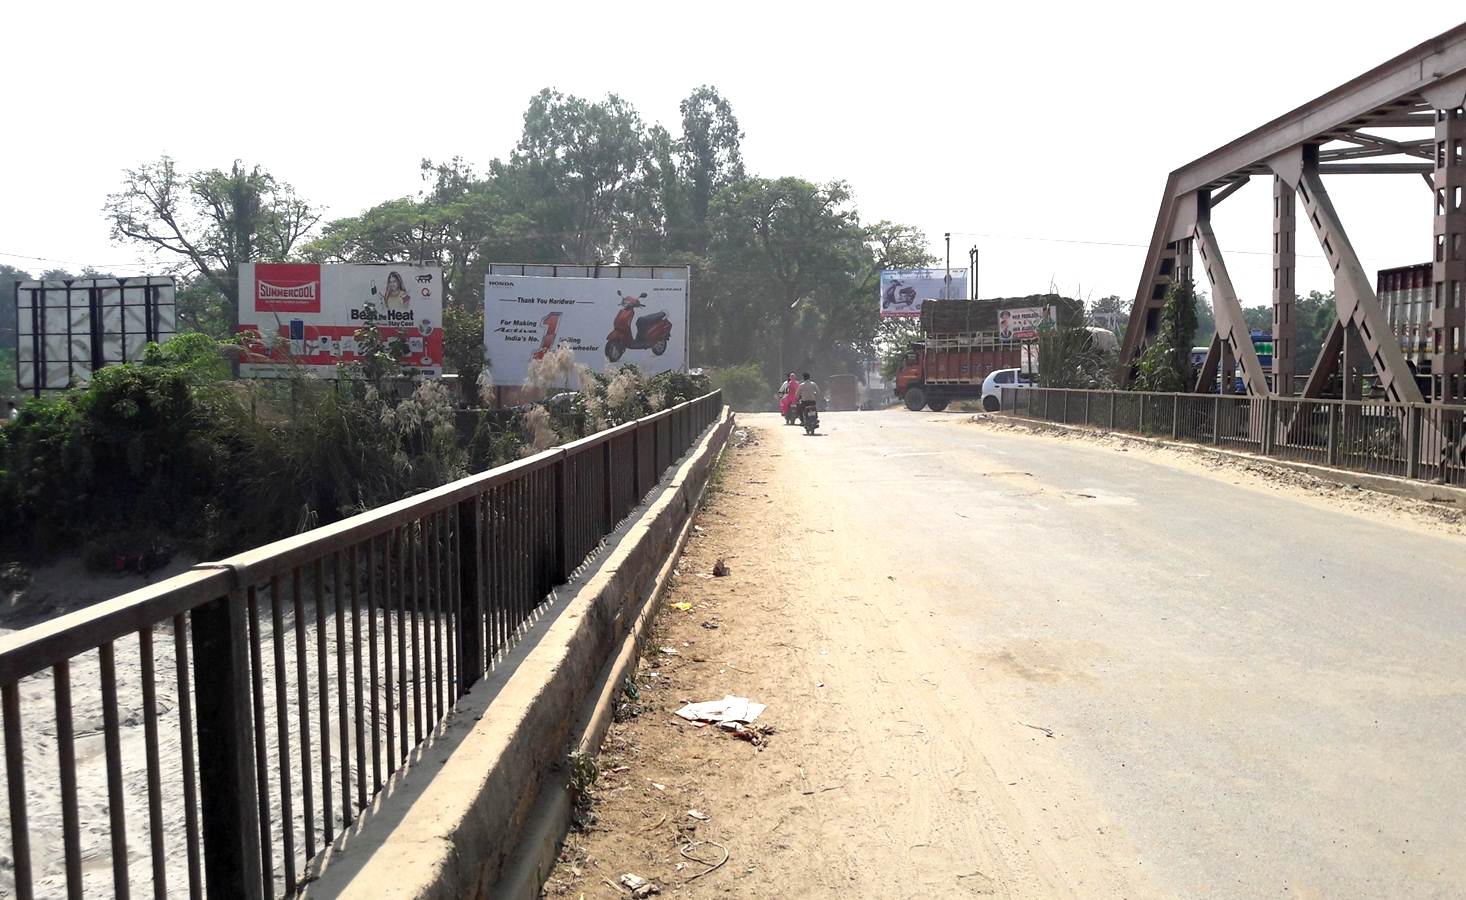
455, 823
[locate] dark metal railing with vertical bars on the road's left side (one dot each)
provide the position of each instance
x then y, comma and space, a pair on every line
279, 690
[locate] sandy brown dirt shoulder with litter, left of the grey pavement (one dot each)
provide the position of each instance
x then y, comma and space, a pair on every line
867, 788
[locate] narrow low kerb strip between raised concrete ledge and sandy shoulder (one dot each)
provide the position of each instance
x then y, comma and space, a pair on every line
545, 833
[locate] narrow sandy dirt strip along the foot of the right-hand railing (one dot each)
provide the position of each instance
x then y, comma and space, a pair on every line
1254, 474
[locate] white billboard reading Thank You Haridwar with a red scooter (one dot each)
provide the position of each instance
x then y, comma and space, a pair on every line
603, 320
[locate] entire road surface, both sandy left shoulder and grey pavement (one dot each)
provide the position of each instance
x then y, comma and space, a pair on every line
1009, 665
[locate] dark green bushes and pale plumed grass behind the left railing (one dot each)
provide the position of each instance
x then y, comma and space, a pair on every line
172, 455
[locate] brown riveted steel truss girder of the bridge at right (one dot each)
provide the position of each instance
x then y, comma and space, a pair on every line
1336, 134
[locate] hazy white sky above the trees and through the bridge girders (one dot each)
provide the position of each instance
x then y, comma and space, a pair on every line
1025, 128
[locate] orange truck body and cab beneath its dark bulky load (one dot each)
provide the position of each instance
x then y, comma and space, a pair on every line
952, 367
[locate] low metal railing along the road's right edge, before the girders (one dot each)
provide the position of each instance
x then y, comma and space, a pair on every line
1410, 440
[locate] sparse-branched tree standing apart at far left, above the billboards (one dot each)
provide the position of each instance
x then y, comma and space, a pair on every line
210, 222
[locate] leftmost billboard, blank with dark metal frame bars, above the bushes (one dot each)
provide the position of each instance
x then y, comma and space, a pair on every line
65, 331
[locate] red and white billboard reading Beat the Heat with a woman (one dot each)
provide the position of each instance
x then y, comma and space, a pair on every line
309, 314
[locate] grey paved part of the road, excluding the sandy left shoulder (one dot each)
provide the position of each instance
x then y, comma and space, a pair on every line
1253, 693
